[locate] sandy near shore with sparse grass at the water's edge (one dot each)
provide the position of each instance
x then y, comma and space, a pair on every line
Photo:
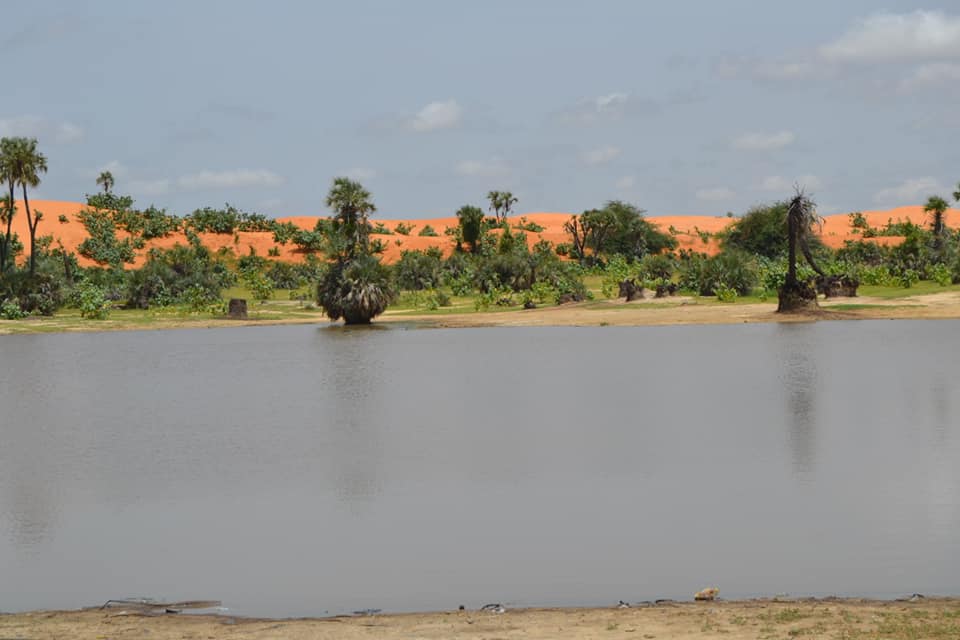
828, 618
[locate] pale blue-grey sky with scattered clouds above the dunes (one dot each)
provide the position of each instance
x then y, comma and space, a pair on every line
680, 107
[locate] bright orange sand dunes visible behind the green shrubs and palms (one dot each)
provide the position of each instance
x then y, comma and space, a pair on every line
692, 232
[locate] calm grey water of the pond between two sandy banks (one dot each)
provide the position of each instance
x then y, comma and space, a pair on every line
305, 470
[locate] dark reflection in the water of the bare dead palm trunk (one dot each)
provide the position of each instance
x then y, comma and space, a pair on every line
799, 379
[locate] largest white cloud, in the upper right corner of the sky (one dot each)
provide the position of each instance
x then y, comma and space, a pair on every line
890, 36
